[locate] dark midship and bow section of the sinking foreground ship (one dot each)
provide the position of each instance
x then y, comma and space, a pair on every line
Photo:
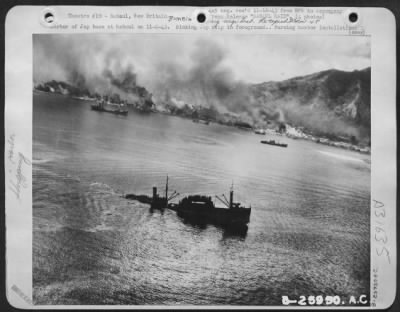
202, 208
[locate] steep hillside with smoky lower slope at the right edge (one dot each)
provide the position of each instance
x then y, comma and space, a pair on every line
328, 102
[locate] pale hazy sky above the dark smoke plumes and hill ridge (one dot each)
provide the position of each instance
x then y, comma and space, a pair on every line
252, 59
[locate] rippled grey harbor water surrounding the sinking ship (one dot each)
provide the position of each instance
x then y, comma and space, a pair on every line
308, 234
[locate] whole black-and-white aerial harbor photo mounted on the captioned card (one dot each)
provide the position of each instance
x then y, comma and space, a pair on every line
194, 170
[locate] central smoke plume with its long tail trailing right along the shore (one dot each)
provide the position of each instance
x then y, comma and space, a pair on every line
208, 82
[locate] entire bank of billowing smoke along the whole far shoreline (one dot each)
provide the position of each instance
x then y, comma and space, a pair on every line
203, 79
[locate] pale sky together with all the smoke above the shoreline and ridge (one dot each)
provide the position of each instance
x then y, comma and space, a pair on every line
195, 70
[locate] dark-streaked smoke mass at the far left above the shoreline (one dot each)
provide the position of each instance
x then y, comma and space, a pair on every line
86, 64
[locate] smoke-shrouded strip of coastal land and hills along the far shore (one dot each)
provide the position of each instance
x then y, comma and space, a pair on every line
331, 107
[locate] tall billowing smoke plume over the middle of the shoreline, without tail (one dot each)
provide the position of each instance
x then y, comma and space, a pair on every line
206, 82
